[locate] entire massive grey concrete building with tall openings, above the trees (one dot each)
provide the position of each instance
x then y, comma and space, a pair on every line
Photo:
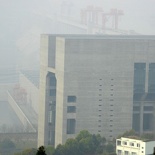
104, 84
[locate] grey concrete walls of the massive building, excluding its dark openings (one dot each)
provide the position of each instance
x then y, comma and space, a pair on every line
99, 71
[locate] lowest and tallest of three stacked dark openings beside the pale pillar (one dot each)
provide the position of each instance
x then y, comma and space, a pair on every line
71, 126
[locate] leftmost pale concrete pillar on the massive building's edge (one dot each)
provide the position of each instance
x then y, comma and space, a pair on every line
43, 116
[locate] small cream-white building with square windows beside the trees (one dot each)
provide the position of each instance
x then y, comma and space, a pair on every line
131, 146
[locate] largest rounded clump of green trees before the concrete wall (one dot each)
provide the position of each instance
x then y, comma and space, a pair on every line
84, 144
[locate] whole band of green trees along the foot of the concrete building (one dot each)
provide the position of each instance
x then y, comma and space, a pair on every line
84, 143
